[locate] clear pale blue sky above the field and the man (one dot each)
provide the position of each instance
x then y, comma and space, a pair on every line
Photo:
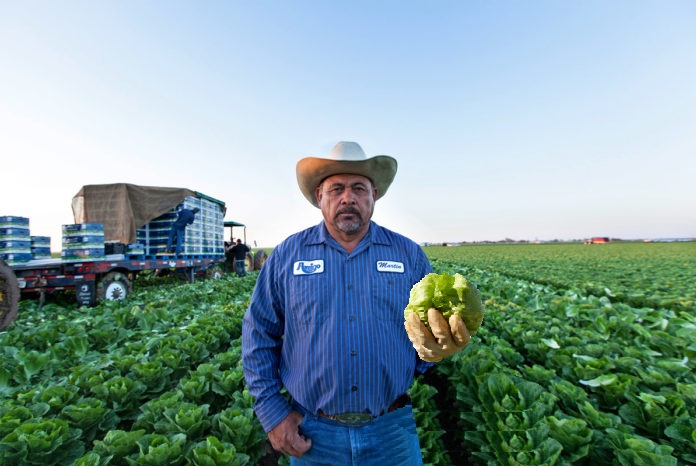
509, 119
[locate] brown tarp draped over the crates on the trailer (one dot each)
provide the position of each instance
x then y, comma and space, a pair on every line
123, 208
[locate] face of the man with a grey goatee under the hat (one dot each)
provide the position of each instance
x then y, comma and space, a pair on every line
347, 202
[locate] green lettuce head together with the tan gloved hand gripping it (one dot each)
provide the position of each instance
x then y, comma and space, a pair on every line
442, 313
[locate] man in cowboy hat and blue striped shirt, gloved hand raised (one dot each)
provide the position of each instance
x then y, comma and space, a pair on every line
326, 322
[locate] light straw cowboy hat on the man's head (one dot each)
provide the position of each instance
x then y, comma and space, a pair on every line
345, 158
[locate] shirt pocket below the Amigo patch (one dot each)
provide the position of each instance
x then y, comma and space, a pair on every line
308, 301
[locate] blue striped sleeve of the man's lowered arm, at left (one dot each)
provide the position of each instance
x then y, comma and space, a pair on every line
262, 330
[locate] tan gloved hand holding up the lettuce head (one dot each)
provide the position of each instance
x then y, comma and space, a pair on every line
442, 341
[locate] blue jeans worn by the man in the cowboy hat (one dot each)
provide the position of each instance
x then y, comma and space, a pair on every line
389, 440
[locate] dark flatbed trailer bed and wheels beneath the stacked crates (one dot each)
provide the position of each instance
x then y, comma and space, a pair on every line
93, 280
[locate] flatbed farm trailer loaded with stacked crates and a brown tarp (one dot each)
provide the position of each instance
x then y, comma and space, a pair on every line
120, 230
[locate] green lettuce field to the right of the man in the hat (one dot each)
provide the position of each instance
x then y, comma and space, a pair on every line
586, 355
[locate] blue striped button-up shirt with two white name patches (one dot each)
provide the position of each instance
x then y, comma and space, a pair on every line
329, 326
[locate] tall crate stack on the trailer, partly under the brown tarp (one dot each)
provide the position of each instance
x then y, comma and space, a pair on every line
204, 237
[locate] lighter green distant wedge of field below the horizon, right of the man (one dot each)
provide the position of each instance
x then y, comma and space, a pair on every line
658, 275
